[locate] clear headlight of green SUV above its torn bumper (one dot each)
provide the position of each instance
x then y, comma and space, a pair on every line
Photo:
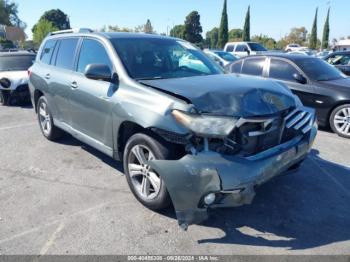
205, 125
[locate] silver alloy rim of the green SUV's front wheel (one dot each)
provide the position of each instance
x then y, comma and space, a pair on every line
145, 180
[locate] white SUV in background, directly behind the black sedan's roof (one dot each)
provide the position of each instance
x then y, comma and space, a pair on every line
242, 49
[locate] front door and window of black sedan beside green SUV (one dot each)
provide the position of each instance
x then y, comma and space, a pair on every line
283, 71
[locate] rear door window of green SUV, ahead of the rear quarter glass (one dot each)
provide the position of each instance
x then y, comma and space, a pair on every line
66, 53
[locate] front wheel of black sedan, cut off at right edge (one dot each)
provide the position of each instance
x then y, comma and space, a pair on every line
340, 120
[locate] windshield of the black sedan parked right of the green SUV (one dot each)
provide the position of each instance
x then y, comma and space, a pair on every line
319, 70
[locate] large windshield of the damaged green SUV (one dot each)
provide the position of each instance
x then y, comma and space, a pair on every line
156, 58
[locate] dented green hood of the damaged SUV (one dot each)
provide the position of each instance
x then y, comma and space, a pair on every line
229, 95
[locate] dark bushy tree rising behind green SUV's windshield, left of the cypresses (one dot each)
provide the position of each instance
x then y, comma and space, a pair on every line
193, 28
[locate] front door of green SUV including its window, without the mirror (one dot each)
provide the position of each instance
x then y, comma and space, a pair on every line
90, 103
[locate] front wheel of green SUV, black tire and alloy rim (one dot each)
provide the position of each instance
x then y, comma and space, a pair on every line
147, 186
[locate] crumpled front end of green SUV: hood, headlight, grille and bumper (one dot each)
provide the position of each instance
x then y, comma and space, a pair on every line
241, 133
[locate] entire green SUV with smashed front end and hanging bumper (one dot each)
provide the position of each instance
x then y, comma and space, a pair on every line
187, 133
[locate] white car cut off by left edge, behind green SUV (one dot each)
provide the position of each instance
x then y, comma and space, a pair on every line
14, 76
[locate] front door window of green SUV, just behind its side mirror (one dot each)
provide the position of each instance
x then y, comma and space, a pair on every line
92, 52
